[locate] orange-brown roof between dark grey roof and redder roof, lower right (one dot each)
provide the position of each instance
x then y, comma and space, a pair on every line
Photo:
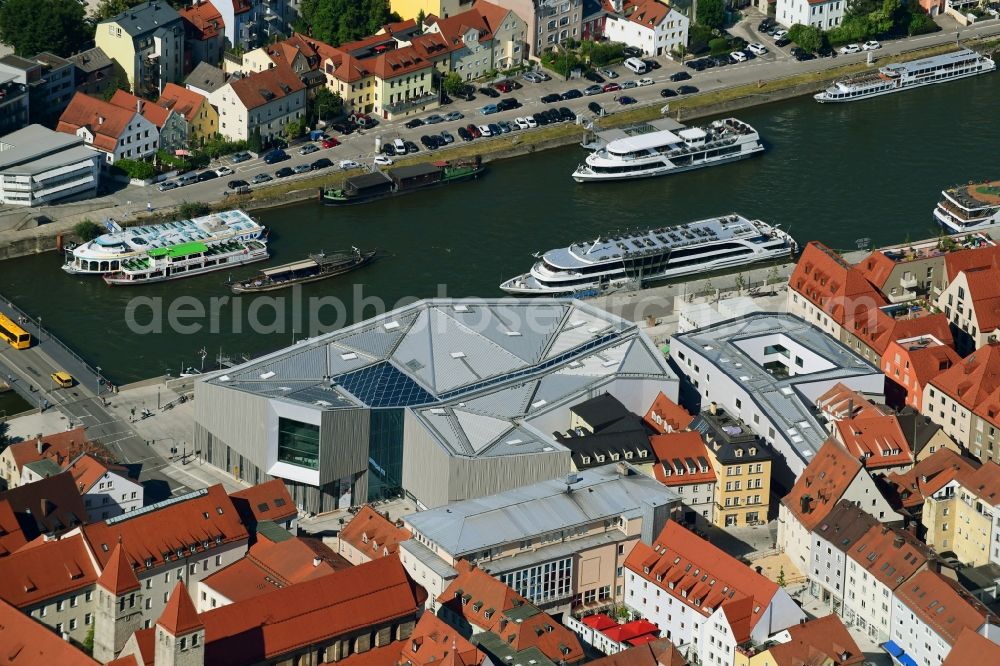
890, 556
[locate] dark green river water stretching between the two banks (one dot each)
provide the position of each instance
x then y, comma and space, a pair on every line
835, 173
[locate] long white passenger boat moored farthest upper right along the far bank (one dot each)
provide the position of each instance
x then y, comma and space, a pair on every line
904, 75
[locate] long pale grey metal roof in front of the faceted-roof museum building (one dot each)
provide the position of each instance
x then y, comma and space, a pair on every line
600, 493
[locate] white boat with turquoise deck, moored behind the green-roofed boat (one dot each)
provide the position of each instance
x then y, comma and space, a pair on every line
107, 253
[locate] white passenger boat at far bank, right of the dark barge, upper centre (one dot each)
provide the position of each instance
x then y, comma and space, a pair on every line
665, 151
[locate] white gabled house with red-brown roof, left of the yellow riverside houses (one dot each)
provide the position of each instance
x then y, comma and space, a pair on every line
263, 102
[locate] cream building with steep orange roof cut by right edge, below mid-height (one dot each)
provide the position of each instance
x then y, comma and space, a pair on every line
960, 400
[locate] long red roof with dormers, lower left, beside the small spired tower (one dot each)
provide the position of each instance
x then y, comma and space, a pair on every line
196, 521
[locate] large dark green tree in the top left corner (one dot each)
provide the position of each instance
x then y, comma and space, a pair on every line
31, 26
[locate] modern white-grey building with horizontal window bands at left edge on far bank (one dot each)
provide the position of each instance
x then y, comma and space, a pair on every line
39, 166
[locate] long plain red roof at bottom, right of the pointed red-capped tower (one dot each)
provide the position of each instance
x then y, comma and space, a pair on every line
340, 604
